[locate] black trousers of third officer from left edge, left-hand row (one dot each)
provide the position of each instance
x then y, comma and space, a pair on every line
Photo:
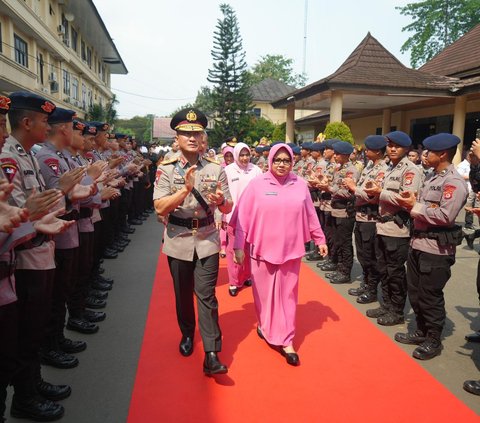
66, 275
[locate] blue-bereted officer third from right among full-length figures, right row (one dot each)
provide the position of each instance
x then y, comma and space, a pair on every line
366, 217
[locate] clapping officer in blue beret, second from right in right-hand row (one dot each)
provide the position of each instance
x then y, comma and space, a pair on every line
393, 228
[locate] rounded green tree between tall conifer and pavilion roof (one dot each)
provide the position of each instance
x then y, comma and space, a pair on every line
276, 66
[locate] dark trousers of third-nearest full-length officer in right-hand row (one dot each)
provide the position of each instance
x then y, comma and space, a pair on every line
365, 233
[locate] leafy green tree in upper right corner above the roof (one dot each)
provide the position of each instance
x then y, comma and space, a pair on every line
436, 24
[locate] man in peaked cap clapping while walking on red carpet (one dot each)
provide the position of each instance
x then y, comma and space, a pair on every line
188, 189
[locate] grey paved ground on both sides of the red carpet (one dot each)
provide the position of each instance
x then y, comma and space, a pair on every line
103, 382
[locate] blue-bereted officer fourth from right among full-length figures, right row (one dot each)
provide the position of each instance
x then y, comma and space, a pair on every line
343, 214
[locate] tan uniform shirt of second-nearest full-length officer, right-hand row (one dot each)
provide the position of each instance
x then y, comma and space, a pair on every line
405, 176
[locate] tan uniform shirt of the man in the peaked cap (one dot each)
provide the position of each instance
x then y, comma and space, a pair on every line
180, 242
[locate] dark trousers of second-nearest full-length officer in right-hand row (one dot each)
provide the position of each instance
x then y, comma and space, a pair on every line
391, 255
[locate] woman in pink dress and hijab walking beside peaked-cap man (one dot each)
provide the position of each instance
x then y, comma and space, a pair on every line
276, 217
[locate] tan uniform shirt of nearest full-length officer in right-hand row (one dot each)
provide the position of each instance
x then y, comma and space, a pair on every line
438, 205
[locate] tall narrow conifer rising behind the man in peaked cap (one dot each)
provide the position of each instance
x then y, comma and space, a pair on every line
231, 100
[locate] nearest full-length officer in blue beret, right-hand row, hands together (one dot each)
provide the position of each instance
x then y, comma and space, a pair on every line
433, 244
